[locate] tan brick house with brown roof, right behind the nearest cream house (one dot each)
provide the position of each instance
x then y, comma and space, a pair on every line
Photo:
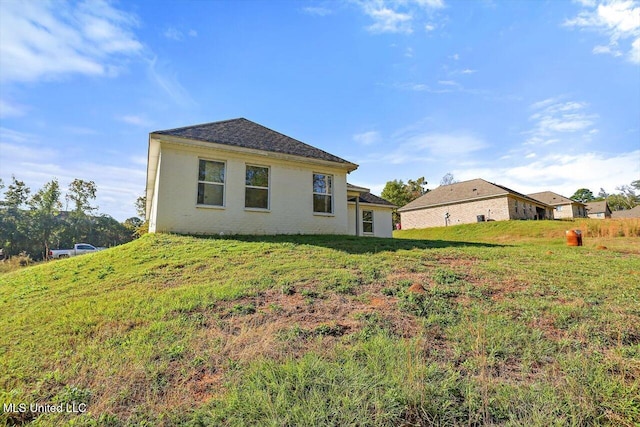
470, 201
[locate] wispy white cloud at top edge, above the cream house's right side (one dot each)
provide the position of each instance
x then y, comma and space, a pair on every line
399, 16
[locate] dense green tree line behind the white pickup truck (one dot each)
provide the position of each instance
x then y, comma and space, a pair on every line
33, 223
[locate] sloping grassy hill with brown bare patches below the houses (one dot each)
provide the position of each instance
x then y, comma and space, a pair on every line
463, 326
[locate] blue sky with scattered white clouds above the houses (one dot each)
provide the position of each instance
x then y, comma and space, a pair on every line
532, 95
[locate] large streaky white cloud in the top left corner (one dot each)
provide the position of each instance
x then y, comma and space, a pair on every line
53, 39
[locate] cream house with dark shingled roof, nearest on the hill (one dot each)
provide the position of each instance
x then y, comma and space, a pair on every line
238, 177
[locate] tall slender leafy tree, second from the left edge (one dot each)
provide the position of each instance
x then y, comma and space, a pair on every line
45, 206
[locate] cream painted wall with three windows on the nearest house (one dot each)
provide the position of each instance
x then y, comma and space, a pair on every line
290, 192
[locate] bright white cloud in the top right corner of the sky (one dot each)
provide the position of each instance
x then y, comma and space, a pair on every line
618, 20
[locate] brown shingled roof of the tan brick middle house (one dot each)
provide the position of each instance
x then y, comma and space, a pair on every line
462, 192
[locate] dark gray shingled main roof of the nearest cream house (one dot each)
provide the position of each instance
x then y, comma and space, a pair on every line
247, 134
